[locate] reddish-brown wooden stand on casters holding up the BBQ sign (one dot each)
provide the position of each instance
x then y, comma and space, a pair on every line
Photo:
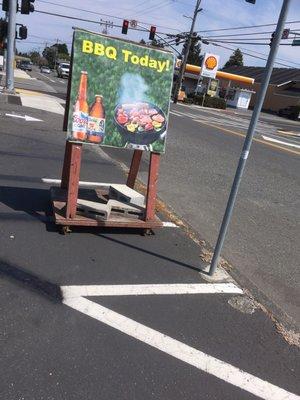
64, 198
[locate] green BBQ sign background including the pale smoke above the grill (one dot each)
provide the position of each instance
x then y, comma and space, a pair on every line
119, 81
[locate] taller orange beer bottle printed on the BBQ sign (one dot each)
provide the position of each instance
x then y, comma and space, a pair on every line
81, 109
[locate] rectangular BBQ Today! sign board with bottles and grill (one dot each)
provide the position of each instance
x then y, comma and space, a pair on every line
119, 93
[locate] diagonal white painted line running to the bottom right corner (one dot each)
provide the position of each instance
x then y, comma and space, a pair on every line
181, 351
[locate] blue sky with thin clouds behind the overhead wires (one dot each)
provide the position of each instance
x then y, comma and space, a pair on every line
169, 16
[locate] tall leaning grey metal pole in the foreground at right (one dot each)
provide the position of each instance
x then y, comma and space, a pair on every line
249, 136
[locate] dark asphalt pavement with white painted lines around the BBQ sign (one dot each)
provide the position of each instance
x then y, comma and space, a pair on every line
78, 322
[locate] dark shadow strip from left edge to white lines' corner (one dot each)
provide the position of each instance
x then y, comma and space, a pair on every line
32, 282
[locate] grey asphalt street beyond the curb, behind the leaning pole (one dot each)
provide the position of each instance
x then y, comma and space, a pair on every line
196, 174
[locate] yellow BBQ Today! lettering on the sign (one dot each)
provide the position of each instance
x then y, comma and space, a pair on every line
98, 49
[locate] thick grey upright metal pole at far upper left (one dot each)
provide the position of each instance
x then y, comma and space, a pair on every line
10, 87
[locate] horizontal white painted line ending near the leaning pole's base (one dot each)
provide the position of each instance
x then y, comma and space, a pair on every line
156, 289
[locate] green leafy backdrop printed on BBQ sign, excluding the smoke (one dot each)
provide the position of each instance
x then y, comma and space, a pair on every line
104, 78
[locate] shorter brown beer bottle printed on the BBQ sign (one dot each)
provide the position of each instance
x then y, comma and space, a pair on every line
96, 121
